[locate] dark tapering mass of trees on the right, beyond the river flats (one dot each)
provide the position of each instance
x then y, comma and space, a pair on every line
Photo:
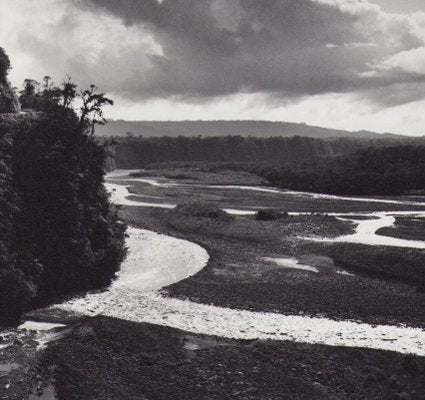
380, 171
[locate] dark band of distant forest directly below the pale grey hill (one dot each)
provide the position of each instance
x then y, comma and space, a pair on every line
138, 152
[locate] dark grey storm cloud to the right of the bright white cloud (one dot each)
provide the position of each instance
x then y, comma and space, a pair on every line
286, 47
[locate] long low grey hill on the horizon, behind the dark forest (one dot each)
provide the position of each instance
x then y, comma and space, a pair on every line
224, 128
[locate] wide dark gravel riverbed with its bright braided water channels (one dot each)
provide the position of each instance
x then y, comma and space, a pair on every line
261, 312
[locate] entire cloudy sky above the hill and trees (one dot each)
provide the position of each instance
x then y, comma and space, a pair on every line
344, 64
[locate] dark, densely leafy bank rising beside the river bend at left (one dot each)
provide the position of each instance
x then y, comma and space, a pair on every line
59, 234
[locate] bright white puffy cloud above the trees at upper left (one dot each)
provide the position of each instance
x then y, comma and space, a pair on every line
57, 38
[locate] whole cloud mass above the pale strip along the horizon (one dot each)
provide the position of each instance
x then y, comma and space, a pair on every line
195, 50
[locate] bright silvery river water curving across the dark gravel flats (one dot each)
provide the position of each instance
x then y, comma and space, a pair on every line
157, 260
